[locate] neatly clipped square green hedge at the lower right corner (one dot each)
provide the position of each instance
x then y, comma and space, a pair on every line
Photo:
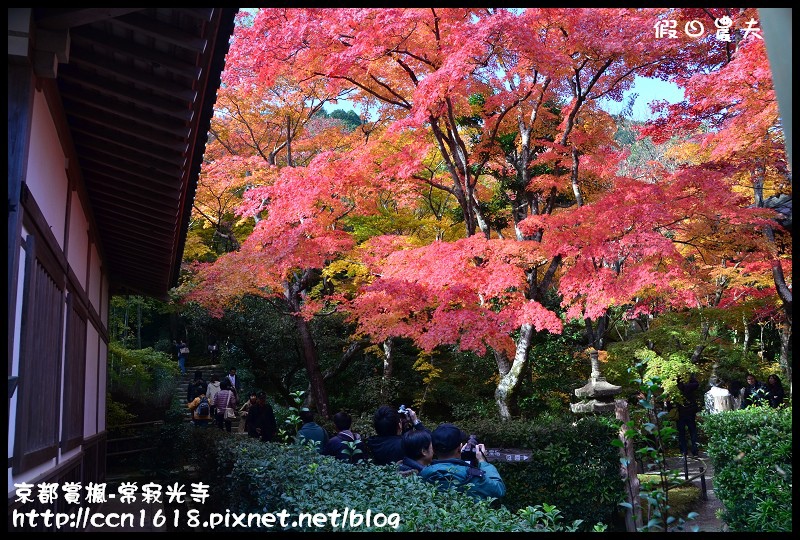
751, 451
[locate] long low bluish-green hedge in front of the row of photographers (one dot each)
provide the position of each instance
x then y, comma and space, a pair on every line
255, 477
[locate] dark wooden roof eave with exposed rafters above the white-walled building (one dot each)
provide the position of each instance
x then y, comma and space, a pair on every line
138, 87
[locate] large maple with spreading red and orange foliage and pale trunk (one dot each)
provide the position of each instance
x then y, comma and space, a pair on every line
470, 102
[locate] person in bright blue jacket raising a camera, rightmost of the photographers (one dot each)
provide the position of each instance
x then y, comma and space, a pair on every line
450, 469
